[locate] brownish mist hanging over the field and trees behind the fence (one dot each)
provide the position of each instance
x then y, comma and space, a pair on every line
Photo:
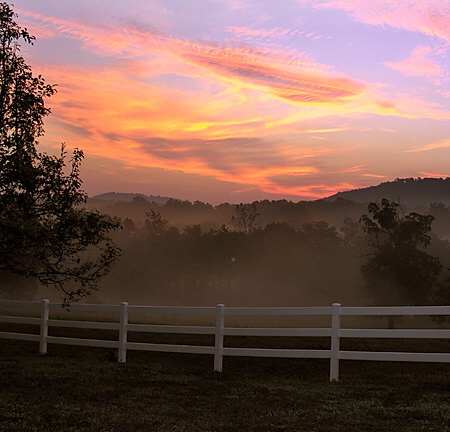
289, 254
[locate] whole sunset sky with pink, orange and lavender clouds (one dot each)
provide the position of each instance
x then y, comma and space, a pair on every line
243, 100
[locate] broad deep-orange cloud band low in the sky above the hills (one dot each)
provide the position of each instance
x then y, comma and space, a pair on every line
151, 127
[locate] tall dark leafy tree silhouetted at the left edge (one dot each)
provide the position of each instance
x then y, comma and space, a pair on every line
45, 233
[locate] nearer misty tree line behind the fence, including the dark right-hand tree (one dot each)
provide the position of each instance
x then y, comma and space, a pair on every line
385, 257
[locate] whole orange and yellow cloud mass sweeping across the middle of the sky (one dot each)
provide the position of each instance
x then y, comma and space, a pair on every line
228, 112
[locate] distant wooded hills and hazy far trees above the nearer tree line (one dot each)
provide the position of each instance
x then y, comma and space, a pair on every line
413, 194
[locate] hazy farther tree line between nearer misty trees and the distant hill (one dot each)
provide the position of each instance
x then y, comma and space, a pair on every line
181, 213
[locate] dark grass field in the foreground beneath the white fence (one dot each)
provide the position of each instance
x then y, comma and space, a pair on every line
84, 389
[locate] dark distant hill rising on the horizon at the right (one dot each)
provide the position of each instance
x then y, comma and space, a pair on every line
411, 191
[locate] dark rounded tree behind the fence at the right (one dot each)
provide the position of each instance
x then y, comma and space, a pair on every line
399, 270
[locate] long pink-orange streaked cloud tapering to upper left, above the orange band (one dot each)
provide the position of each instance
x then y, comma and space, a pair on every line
293, 78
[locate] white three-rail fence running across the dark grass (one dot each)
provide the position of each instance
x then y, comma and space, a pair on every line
335, 332
